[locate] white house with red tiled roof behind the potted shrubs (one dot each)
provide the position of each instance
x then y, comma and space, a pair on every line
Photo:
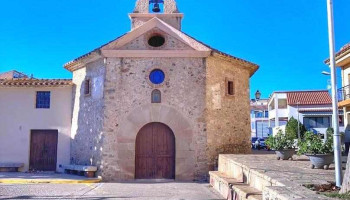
313, 109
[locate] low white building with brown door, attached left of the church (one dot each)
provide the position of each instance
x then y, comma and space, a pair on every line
35, 121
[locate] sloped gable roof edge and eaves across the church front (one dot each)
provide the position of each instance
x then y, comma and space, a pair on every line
156, 22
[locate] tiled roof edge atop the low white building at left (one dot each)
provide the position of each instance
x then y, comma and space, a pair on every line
35, 82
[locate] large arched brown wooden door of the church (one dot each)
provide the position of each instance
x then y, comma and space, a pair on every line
155, 152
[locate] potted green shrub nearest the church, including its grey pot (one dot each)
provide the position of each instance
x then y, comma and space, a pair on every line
283, 144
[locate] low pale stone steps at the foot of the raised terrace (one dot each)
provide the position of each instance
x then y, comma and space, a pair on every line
221, 182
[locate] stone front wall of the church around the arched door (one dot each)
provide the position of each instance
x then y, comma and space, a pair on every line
128, 108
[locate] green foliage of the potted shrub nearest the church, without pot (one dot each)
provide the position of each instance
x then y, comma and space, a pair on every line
280, 141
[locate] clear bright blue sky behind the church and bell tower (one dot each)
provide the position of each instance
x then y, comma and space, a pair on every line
288, 39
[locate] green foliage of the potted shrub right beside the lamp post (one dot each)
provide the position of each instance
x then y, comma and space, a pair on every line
313, 144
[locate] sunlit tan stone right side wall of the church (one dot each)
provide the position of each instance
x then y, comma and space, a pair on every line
228, 119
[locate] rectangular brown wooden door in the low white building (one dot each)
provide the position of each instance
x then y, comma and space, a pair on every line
43, 150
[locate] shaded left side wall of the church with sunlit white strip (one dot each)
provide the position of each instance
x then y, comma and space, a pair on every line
87, 119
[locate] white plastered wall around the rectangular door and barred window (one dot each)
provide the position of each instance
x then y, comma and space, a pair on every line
18, 116
